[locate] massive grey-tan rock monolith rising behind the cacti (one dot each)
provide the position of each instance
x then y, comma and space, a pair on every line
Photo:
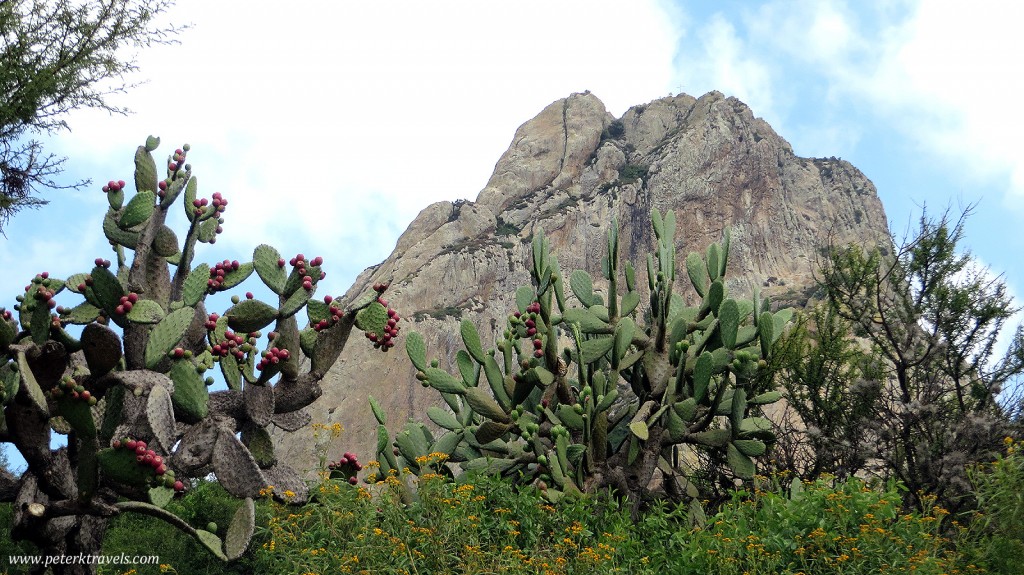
571, 171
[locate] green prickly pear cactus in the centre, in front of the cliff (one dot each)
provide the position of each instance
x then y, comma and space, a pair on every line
599, 392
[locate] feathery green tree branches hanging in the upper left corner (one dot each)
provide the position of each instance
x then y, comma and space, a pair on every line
57, 57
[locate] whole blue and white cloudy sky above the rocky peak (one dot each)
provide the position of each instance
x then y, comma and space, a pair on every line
330, 127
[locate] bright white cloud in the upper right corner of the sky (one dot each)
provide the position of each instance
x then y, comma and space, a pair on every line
951, 71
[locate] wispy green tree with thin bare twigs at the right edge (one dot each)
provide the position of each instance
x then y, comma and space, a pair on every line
932, 320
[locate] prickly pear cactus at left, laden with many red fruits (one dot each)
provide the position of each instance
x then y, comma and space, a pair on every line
133, 391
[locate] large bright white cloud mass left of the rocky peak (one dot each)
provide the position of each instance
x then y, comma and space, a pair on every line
329, 127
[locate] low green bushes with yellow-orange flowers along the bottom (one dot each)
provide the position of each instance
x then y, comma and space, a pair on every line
487, 525
